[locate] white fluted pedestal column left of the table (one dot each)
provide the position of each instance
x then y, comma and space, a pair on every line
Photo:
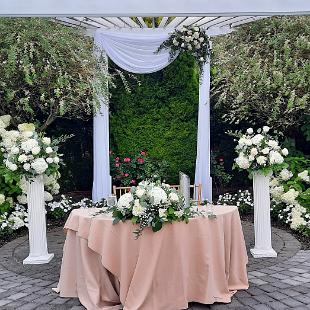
37, 223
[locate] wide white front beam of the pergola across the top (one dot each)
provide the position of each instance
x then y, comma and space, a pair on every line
96, 8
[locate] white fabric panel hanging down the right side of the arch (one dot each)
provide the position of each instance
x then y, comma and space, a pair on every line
202, 173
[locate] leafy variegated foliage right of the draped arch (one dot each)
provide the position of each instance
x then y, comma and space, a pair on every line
262, 74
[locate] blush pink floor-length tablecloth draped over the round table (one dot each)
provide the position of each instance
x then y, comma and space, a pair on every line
106, 268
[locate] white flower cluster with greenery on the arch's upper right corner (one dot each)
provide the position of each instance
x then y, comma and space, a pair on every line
189, 39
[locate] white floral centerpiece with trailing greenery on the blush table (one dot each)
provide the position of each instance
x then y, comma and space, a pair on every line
151, 205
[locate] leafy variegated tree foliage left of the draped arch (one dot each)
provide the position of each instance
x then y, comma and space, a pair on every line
47, 71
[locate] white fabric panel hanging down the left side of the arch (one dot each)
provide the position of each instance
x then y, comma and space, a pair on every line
101, 161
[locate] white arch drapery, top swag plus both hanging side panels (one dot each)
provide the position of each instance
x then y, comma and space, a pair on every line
135, 51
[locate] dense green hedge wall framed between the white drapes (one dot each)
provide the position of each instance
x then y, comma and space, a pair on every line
160, 117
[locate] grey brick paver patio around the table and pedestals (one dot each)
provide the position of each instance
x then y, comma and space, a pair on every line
275, 283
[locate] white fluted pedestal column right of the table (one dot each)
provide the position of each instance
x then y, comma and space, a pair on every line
262, 224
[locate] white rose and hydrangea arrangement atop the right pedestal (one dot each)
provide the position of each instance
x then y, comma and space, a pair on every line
259, 151
